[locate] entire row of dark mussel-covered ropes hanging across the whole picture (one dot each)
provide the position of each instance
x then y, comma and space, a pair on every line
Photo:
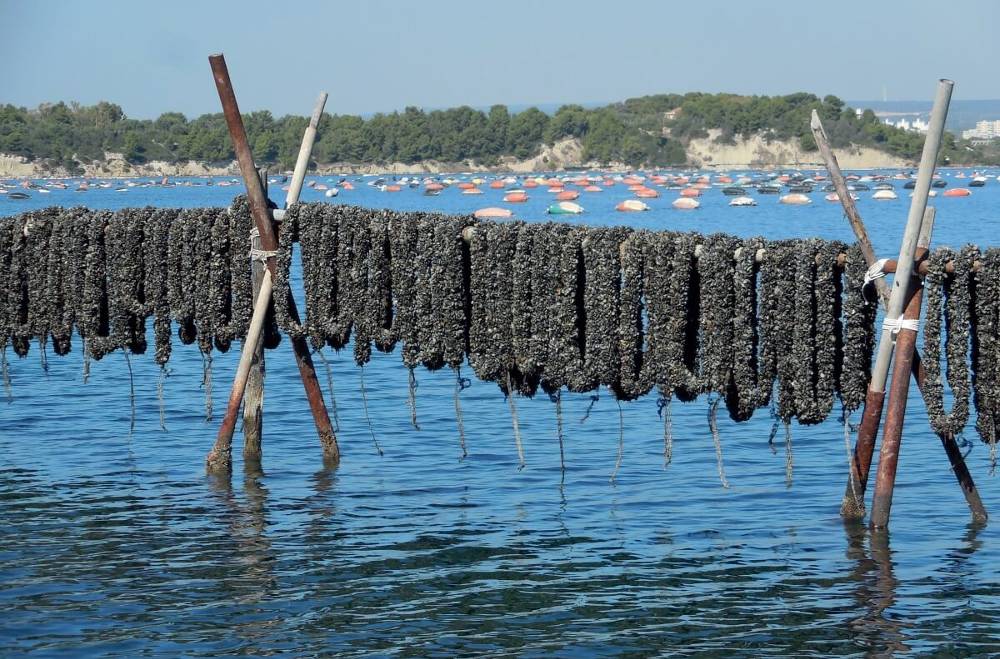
751, 322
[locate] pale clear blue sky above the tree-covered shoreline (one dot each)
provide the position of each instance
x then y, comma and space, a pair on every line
151, 57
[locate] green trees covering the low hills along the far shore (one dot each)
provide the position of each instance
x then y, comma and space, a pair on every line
645, 131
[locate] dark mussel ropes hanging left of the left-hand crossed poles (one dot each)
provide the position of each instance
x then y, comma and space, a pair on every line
103, 274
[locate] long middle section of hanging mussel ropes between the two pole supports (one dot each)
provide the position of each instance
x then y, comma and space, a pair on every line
552, 305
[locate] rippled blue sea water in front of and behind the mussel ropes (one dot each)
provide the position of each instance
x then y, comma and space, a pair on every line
117, 543
